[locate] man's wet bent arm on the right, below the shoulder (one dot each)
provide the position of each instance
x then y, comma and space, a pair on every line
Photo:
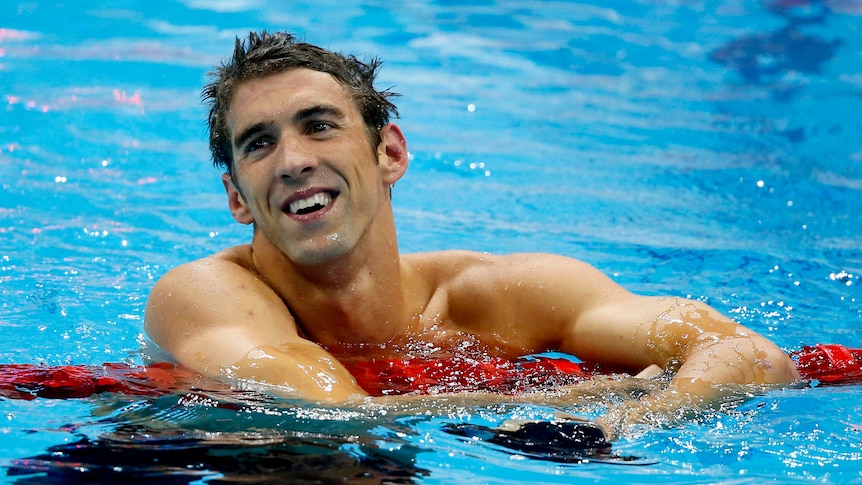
712, 358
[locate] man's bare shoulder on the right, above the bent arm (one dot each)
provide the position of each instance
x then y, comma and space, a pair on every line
526, 298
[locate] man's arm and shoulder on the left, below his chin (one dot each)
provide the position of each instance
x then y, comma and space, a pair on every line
218, 319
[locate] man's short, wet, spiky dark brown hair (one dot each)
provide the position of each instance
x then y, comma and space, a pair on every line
266, 54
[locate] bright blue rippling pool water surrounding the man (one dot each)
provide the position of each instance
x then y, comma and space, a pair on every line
707, 149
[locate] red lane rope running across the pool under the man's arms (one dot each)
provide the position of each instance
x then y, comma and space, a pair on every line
827, 364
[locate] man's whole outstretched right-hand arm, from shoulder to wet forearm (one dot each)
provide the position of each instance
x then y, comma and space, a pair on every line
556, 303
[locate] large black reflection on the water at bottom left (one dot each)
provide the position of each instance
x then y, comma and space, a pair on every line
134, 454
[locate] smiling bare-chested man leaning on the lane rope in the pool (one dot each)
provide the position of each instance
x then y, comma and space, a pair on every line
311, 158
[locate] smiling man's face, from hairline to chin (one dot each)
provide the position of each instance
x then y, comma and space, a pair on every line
304, 169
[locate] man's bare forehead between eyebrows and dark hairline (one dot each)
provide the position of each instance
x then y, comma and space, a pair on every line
264, 99
